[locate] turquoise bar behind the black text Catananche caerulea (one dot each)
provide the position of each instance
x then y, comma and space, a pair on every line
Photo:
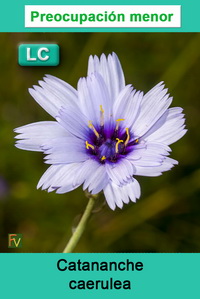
37, 276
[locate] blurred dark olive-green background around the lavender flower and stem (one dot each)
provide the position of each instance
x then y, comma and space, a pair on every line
167, 216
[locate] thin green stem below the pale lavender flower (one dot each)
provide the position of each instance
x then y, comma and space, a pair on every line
82, 224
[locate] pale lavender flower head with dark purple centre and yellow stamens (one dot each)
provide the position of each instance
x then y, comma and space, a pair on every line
105, 133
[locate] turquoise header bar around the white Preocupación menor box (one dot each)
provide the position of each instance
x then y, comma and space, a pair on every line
13, 16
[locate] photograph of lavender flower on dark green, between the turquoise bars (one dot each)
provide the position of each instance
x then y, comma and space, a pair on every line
114, 170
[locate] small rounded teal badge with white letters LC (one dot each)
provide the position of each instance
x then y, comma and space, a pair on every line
38, 55
